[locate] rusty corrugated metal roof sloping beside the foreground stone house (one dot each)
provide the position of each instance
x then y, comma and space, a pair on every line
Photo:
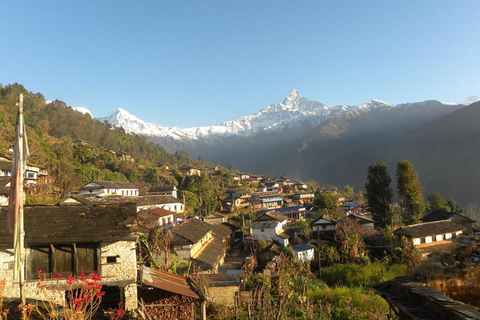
167, 281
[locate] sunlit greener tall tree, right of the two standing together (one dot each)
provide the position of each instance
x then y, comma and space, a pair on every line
409, 193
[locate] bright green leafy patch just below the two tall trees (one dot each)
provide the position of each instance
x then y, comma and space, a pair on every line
357, 275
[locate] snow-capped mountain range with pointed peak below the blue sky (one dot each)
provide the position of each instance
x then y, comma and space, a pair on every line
294, 111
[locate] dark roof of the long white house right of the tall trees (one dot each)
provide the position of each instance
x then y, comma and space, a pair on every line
428, 229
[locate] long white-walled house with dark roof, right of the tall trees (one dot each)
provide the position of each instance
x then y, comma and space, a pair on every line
431, 233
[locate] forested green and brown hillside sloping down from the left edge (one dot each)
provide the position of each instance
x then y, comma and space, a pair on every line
52, 129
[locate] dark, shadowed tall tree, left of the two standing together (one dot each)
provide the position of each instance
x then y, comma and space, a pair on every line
379, 194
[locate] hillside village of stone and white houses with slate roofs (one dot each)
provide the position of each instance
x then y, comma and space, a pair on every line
162, 260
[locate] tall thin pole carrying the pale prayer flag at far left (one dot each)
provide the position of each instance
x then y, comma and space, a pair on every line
20, 220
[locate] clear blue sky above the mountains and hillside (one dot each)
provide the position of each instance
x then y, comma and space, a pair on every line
192, 63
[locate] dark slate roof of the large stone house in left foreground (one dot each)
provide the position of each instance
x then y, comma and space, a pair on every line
69, 224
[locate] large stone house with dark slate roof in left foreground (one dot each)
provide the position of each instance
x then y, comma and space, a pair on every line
69, 240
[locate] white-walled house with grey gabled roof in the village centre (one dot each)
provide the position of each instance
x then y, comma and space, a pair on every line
270, 226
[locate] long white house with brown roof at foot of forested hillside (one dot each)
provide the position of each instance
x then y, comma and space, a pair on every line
109, 188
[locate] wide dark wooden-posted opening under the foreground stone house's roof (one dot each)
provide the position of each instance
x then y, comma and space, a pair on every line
62, 258
